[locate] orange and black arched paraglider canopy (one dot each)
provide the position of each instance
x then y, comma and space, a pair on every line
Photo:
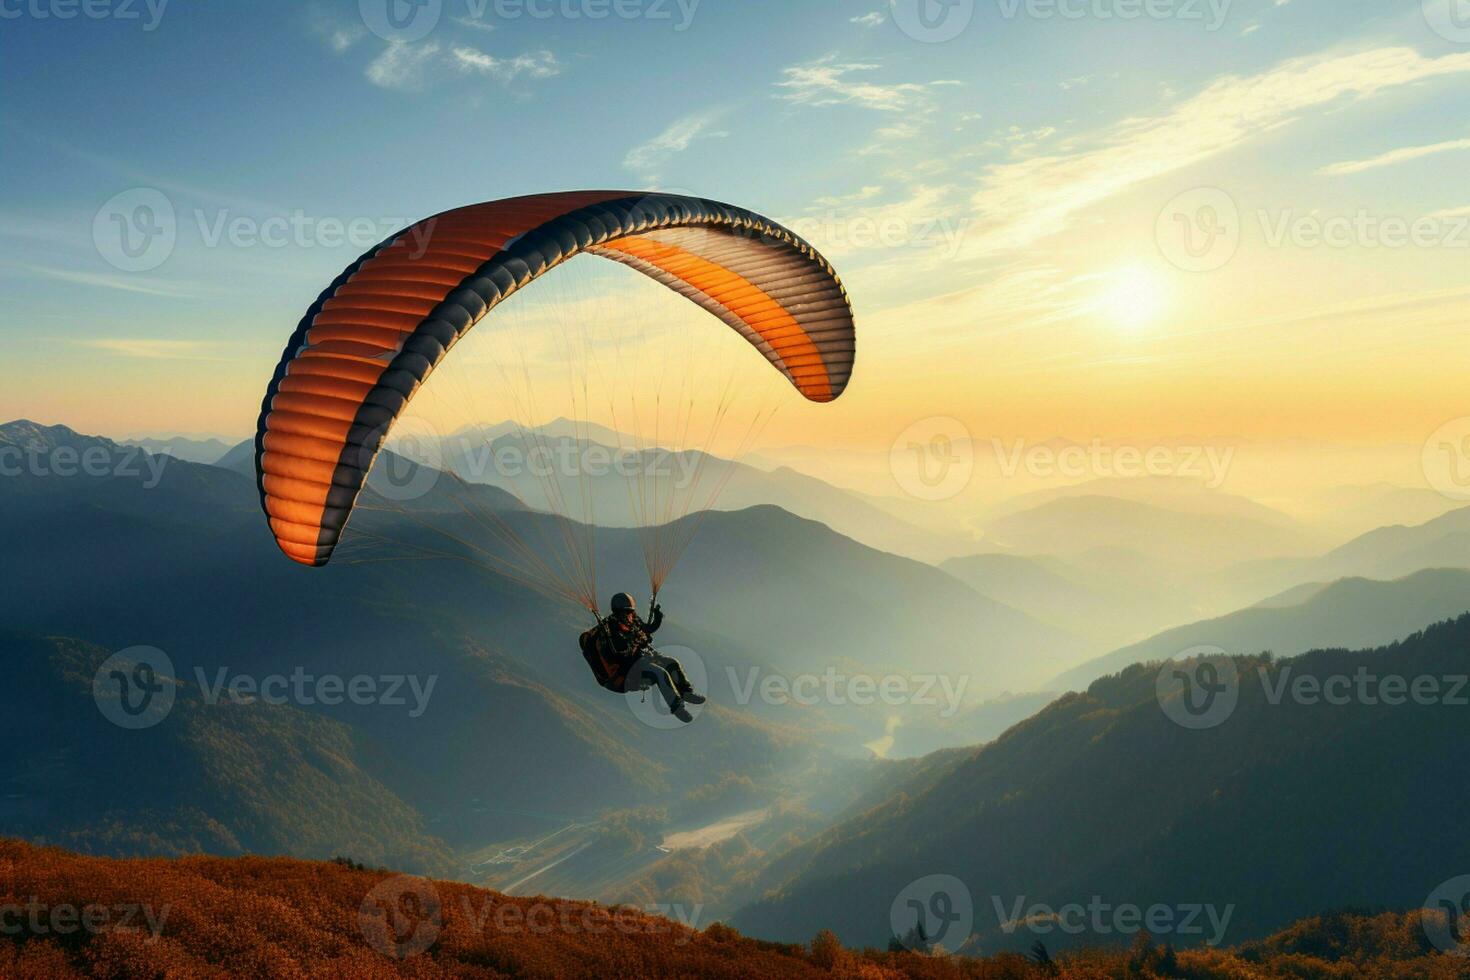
379, 331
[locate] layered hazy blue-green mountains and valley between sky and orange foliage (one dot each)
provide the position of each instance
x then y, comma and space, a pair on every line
135, 549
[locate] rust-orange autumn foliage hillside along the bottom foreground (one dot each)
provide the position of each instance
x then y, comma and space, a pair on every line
67, 916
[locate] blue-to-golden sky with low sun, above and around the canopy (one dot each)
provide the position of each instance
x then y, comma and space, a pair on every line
1056, 218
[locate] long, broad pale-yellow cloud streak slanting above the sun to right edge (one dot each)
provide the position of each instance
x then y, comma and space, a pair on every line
1036, 198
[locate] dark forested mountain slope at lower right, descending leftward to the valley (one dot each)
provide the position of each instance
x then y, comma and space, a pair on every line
1102, 794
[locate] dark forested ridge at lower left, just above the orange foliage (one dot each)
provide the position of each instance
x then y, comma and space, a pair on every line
230, 778
